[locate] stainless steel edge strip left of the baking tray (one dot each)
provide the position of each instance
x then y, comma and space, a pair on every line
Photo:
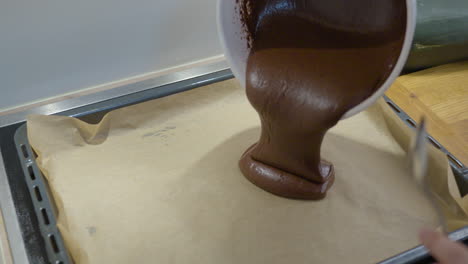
12, 227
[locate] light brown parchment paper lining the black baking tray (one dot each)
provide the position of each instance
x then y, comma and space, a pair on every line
158, 182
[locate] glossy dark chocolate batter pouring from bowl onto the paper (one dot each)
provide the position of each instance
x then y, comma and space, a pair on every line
310, 62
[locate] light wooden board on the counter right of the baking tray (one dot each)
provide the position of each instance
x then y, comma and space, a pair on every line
441, 94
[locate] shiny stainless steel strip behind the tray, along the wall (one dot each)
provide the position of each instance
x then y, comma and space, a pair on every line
113, 93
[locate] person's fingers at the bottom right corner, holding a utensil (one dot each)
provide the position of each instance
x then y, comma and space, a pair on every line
443, 249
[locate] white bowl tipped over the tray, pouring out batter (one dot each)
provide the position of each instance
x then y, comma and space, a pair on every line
236, 51
